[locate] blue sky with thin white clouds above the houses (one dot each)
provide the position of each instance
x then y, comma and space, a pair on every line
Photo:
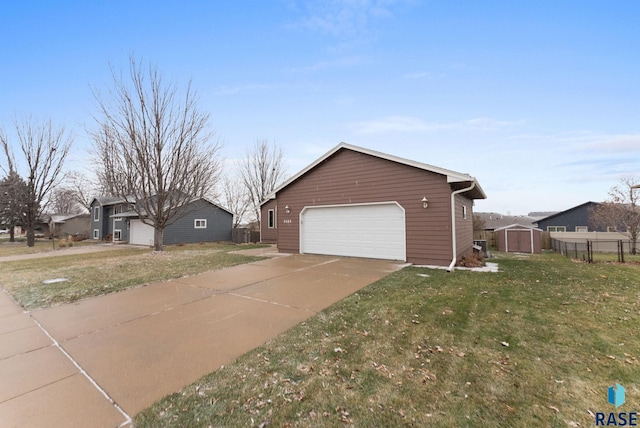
539, 100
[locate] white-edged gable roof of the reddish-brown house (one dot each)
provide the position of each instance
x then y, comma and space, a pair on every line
452, 176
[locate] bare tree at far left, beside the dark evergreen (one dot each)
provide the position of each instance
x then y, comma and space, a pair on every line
43, 150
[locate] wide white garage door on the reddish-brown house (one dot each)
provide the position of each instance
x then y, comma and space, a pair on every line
374, 231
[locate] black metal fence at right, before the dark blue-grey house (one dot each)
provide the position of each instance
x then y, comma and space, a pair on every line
596, 250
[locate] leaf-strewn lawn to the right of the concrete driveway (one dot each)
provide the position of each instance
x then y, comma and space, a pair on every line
534, 345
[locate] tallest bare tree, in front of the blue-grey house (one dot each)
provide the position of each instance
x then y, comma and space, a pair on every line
153, 147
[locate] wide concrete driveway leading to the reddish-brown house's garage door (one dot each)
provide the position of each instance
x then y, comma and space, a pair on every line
100, 361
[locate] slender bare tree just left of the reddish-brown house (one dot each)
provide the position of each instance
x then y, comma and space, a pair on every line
261, 171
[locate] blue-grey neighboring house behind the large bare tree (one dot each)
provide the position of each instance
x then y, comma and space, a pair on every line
202, 221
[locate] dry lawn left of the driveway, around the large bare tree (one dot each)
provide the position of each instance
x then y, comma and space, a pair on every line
94, 274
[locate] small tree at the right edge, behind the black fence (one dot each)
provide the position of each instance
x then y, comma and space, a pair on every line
621, 210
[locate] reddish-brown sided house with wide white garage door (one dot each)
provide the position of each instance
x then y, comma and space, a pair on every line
358, 202
